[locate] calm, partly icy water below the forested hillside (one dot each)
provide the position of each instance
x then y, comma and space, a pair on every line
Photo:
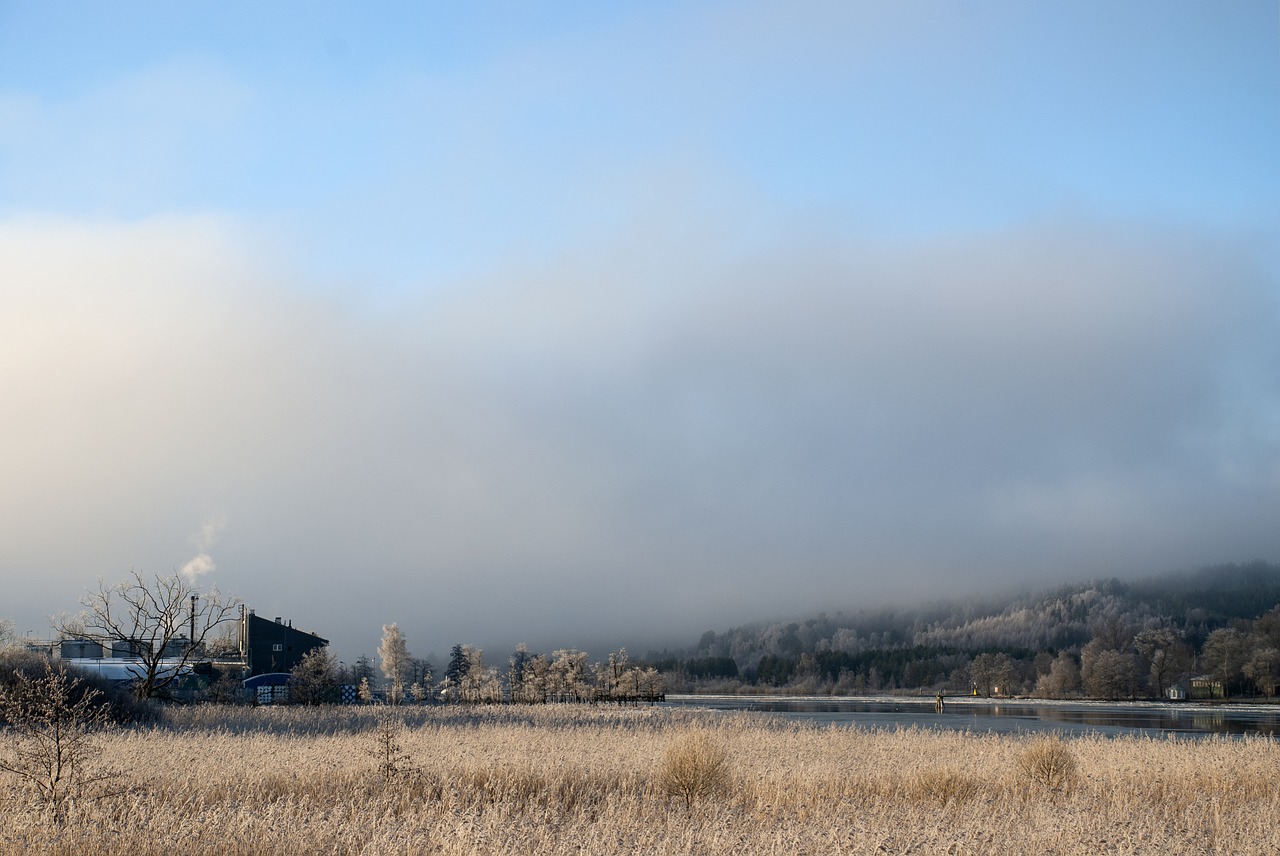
991, 716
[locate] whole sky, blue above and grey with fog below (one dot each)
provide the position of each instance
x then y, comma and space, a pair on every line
597, 324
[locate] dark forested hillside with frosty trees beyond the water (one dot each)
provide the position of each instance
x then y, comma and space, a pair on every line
1105, 639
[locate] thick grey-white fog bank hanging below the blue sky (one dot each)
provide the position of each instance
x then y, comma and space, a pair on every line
639, 441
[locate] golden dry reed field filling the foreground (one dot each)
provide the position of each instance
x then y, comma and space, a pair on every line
582, 780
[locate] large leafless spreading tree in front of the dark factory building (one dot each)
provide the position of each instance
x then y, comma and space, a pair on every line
163, 622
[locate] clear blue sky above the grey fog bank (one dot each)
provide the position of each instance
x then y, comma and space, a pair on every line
427, 141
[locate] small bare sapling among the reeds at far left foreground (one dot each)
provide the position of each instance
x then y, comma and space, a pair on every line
49, 734
